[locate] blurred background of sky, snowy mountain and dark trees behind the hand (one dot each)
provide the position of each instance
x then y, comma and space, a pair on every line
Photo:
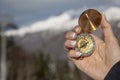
32, 35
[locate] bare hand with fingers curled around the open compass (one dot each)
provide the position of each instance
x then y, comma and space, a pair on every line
106, 53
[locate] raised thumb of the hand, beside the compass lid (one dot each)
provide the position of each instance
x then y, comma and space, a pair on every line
107, 30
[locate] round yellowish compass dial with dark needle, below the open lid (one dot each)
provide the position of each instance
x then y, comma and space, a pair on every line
85, 44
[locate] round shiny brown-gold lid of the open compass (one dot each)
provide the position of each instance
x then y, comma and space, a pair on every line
90, 20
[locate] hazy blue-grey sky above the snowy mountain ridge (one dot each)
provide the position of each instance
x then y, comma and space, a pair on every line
29, 11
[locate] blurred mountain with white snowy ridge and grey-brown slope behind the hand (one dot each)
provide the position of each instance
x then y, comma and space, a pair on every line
49, 35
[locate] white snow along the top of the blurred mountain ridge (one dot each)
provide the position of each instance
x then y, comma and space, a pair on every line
61, 22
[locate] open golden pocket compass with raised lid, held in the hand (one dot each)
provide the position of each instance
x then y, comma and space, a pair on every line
88, 21
